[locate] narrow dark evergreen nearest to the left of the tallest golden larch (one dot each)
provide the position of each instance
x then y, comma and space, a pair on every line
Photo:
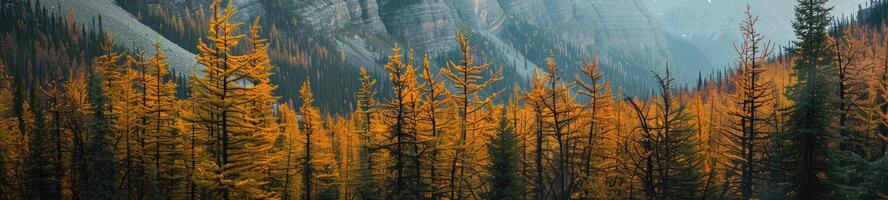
100, 159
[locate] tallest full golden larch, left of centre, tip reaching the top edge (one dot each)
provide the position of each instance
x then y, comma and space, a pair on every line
223, 103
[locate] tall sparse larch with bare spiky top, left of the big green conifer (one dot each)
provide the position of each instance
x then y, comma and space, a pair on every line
747, 131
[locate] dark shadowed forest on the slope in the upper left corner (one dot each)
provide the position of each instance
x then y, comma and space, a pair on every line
40, 45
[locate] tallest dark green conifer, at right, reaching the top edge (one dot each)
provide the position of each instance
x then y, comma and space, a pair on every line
805, 155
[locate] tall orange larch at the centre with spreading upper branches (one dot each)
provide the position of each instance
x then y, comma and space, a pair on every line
472, 112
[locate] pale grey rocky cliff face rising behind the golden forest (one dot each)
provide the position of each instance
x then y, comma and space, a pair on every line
501, 27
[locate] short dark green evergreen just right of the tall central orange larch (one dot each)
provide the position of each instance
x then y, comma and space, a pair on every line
504, 181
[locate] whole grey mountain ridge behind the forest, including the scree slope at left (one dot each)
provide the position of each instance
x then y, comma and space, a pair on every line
515, 35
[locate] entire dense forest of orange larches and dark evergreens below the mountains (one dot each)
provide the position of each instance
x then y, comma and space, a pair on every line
83, 119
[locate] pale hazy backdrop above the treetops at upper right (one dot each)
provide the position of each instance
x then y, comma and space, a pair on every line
712, 25
